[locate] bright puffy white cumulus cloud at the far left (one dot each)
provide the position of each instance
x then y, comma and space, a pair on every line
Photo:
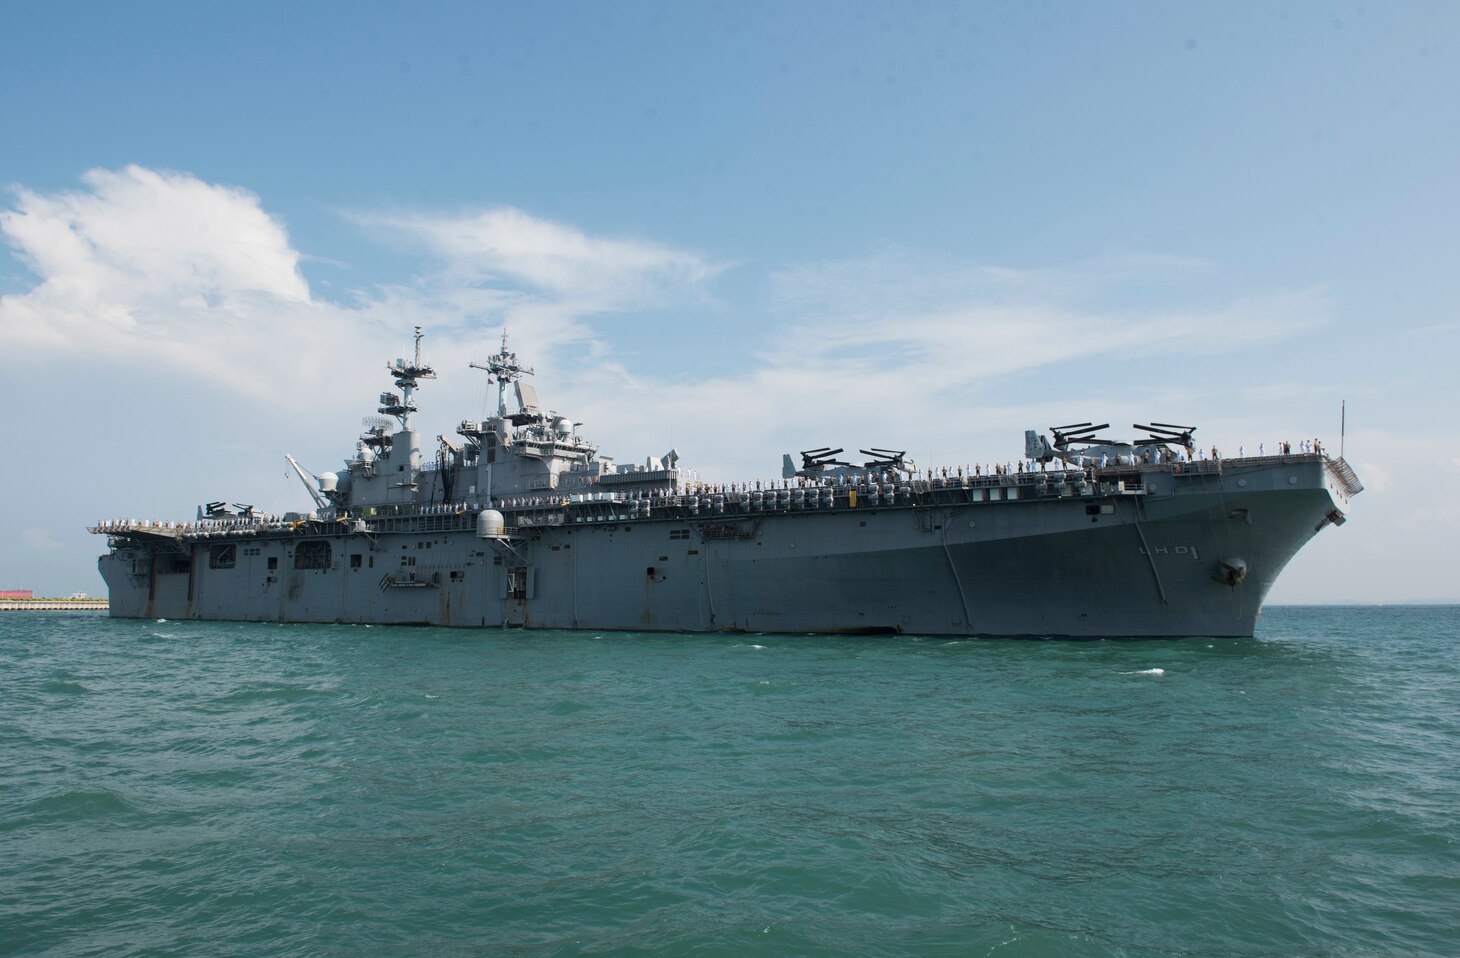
158, 268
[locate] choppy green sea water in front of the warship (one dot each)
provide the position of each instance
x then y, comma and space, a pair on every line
245, 789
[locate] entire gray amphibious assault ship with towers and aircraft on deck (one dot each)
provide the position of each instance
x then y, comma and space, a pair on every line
520, 522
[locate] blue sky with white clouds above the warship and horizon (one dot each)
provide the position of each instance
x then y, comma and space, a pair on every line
737, 229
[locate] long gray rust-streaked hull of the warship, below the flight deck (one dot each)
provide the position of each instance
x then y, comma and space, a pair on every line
1141, 553
